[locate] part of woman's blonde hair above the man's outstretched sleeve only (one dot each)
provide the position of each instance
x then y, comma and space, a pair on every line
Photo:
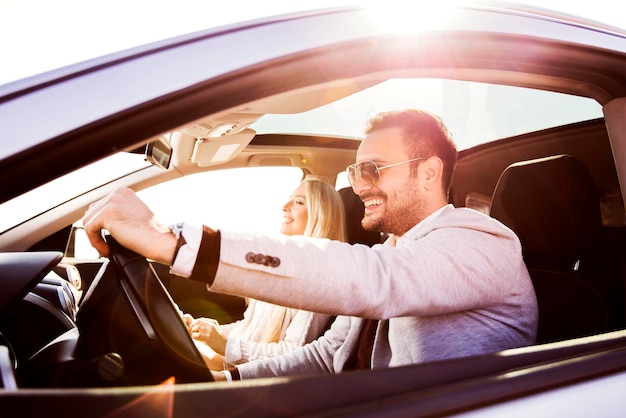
326, 214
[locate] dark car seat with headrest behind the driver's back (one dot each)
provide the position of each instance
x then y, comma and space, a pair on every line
553, 206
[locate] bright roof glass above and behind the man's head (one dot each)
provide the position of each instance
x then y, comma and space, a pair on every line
475, 113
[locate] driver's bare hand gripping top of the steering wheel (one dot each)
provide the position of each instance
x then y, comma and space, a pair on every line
132, 224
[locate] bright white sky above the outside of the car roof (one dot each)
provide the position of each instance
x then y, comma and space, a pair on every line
39, 35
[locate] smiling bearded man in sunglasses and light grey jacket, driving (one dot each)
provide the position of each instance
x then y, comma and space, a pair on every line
447, 283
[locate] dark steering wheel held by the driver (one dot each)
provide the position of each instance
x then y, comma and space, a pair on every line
128, 315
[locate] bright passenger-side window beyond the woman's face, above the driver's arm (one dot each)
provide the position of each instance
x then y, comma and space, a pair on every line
248, 199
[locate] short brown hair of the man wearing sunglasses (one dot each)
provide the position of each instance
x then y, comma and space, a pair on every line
425, 135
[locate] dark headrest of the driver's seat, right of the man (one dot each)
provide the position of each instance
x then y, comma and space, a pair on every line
552, 205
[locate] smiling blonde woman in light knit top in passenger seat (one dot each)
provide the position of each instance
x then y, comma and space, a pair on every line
315, 209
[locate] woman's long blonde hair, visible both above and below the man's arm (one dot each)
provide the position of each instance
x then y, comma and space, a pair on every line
326, 219
